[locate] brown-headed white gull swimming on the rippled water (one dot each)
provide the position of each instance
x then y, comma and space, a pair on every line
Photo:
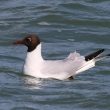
67, 68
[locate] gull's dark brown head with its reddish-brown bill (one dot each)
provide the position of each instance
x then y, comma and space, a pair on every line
31, 41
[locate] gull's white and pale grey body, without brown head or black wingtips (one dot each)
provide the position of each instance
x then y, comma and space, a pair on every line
36, 66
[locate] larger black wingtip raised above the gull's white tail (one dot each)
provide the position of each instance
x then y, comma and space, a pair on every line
93, 55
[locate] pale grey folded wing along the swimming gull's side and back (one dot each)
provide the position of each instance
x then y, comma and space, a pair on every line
62, 69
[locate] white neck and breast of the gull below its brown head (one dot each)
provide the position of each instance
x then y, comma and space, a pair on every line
33, 62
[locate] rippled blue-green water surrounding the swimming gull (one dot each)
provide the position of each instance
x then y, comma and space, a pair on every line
63, 26
